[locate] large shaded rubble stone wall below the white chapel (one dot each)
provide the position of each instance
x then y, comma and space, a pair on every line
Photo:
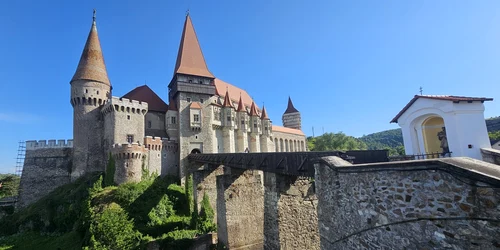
409, 205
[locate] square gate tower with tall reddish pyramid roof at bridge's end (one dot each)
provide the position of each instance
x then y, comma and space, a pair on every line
192, 82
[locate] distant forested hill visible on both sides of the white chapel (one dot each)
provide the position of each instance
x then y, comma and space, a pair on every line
393, 138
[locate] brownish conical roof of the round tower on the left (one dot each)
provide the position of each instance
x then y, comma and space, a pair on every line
91, 65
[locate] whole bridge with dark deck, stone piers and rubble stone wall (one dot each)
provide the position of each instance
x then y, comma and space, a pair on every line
311, 200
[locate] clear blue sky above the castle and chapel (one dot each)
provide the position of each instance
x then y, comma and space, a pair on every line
348, 65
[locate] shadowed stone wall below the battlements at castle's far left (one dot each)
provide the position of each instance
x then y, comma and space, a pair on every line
44, 170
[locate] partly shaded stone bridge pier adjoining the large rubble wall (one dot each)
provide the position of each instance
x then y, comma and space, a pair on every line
290, 213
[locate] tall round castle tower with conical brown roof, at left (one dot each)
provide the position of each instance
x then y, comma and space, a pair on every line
90, 89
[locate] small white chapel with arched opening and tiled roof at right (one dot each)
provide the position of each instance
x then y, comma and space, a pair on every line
444, 126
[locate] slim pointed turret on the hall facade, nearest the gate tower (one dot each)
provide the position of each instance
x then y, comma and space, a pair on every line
227, 117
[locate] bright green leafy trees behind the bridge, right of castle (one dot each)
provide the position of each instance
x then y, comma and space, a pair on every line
337, 141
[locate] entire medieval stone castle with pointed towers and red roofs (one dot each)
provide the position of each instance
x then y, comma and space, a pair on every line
204, 115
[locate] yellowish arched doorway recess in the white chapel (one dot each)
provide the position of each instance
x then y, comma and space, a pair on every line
434, 135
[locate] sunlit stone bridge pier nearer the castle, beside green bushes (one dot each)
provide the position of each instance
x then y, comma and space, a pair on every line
240, 209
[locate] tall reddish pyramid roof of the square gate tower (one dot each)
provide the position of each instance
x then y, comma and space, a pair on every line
190, 59
